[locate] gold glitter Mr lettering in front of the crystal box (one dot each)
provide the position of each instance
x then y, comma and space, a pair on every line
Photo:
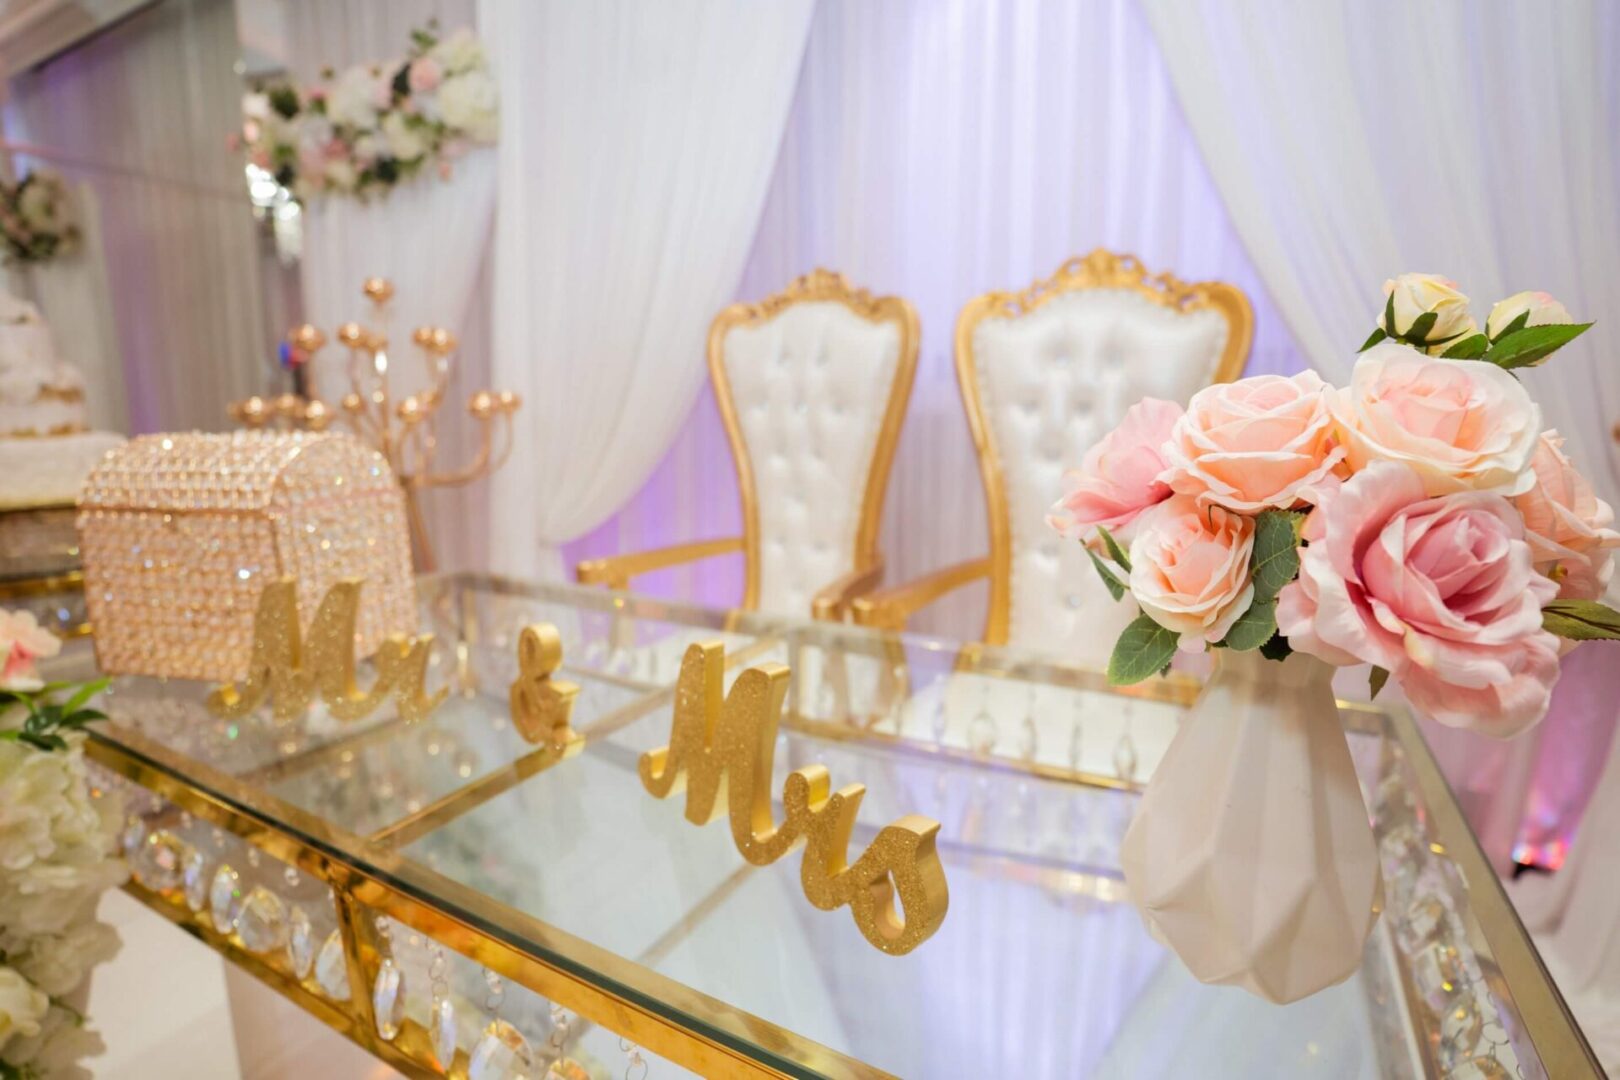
292, 670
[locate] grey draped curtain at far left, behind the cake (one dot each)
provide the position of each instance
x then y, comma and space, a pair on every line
137, 119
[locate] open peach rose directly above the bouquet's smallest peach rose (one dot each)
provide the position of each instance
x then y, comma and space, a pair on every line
1255, 444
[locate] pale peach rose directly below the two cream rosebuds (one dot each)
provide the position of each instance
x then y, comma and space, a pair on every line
1464, 425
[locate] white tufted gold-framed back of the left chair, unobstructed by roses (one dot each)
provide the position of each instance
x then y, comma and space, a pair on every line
812, 388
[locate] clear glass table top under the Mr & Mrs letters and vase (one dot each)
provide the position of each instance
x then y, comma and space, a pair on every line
1033, 768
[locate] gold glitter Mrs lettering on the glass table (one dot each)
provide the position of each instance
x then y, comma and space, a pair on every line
720, 754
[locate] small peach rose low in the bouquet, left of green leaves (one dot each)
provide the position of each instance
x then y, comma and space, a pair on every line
1190, 569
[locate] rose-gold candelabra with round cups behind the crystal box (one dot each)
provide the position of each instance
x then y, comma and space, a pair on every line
406, 430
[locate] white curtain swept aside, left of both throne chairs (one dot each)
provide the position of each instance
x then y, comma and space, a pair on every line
631, 187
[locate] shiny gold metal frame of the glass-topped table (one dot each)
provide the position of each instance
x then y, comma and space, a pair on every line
625, 997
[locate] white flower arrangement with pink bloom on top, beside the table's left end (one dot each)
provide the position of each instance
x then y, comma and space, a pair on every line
56, 862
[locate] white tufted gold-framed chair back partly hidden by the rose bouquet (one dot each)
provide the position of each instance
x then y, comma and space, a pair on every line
1046, 375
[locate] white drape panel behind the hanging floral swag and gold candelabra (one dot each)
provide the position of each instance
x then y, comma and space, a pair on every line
428, 236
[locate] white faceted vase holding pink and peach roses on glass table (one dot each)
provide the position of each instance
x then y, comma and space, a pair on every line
1418, 521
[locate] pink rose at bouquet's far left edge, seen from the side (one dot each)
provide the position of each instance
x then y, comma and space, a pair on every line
1119, 478
